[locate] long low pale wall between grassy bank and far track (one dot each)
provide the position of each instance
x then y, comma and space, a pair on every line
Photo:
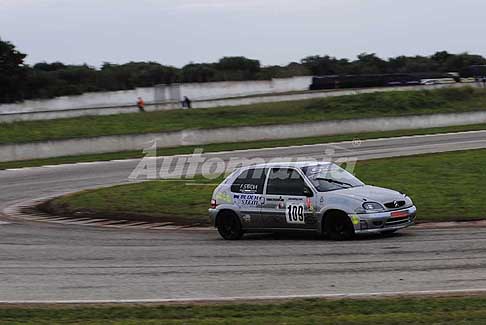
105, 144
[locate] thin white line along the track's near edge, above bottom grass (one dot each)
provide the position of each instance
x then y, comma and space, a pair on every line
261, 298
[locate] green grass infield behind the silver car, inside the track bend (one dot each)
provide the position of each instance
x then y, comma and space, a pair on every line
445, 186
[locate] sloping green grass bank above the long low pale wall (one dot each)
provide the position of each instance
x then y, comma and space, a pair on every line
399, 103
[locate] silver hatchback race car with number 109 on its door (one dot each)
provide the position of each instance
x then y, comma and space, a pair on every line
319, 197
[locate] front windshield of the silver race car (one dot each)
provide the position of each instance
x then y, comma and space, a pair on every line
330, 177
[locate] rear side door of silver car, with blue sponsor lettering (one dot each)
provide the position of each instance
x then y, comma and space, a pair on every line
247, 190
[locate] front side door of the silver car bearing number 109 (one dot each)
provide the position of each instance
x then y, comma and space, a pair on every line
289, 201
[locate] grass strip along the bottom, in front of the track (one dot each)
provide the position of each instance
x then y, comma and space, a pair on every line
446, 310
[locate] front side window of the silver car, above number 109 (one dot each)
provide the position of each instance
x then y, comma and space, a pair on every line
285, 181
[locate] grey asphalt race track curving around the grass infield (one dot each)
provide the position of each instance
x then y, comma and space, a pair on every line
60, 263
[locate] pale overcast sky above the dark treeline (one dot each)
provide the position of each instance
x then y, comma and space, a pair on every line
176, 32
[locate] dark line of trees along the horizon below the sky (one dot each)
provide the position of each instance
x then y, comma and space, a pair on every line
19, 81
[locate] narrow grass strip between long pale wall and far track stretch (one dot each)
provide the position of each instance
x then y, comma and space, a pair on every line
238, 146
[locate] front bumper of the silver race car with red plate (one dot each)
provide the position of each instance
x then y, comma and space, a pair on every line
383, 221
